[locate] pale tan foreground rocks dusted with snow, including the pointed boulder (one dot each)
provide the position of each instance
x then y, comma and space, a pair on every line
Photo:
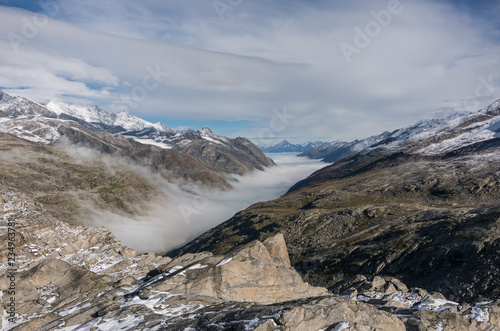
66, 277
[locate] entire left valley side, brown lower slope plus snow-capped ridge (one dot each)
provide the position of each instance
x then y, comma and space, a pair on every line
74, 165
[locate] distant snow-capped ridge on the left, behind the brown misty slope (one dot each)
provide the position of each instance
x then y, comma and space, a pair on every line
218, 154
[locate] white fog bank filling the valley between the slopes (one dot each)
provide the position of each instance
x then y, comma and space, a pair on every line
170, 225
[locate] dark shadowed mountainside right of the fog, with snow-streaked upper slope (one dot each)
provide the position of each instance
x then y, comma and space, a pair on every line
421, 205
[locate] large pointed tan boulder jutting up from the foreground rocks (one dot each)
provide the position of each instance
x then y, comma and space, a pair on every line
257, 272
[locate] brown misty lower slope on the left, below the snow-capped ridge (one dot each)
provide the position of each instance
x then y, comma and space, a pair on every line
88, 171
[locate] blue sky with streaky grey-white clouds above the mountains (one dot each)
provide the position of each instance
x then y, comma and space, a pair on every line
267, 70
